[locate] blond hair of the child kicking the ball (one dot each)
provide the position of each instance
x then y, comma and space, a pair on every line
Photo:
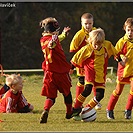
97, 35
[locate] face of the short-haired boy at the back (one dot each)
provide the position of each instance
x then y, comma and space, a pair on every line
87, 24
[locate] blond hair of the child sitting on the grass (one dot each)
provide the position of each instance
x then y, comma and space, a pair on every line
13, 79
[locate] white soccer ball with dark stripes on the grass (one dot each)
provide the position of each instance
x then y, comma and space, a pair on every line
88, 114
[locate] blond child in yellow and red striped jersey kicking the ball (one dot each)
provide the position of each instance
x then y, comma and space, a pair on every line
94, 59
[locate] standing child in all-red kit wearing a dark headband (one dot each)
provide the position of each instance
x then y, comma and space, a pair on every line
56, 68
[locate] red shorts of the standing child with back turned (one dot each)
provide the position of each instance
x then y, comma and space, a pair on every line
54, 82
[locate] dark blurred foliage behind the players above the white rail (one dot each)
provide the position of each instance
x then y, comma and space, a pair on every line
20, 30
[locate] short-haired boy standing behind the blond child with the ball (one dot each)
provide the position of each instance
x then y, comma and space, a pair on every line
78, 41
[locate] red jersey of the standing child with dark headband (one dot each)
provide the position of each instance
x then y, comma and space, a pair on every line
55, 60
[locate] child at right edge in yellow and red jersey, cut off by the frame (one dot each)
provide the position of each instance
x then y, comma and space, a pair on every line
124, 73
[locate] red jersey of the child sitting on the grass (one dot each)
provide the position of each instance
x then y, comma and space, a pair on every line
11, 103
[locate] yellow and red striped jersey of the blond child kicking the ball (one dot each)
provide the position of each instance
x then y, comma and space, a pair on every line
94, 62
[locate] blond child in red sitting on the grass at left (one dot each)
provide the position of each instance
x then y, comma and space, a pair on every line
13, 100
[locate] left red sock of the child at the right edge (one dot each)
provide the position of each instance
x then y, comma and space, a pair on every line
112, 102
